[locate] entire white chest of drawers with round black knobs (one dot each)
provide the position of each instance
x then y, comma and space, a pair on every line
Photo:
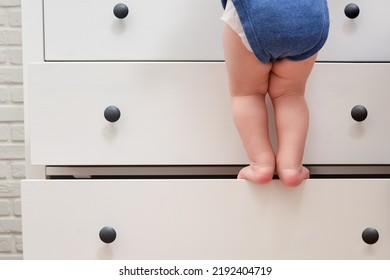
118, 111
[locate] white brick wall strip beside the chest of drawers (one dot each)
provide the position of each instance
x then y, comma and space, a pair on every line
12, 168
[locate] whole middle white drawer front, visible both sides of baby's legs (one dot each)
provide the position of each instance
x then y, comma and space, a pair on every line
179, 113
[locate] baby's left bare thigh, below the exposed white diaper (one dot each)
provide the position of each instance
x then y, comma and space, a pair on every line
247, 75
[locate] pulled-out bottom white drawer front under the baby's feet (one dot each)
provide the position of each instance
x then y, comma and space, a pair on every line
205, 219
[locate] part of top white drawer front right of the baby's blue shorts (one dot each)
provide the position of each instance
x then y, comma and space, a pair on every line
363, 38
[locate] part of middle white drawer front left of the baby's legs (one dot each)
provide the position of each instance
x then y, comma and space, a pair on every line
170, 113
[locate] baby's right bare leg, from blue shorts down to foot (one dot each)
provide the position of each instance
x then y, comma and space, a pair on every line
287, 89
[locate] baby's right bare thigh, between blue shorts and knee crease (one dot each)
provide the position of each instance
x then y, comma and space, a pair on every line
289, 77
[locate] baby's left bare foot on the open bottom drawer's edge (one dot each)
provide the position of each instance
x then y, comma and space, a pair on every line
257, 174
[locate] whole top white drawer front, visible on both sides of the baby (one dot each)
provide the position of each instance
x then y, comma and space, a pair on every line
192, 30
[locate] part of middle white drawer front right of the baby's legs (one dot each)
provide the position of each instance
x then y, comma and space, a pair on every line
334, 136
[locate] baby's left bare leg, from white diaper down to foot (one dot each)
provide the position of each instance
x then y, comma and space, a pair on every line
248, 83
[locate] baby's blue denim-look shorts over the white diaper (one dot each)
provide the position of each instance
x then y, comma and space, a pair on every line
276, 29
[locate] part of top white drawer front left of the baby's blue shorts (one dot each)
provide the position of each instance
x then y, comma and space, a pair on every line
152, 30
